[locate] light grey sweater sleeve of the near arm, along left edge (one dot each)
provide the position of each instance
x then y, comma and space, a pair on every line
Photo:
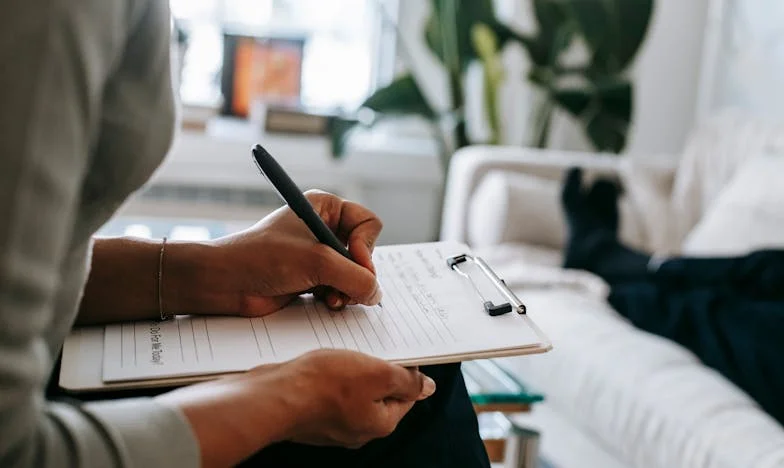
57, 56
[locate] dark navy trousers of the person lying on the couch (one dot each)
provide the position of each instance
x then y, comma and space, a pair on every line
728, 311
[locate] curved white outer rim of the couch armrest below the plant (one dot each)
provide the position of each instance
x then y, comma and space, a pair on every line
469, 165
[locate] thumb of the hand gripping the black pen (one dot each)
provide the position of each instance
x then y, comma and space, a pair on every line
348, 277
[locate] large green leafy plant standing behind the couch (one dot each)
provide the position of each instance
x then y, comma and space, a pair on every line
596, 91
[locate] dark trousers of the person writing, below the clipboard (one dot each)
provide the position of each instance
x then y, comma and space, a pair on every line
439, 432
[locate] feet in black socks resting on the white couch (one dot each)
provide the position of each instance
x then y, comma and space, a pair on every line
592, 219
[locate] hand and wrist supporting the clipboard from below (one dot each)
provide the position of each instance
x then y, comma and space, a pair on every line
336, 398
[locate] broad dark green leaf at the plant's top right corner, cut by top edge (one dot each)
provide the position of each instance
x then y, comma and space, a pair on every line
613, 30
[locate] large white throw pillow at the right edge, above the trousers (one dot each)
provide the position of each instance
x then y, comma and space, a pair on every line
747, 215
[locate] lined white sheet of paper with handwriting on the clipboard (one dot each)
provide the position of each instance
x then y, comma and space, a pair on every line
428, 310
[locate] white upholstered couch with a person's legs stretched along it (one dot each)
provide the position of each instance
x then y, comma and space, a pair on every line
616, 396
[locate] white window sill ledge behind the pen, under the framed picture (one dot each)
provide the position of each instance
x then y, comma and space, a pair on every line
221, 156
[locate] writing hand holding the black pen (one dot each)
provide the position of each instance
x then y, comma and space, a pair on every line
257, 271
